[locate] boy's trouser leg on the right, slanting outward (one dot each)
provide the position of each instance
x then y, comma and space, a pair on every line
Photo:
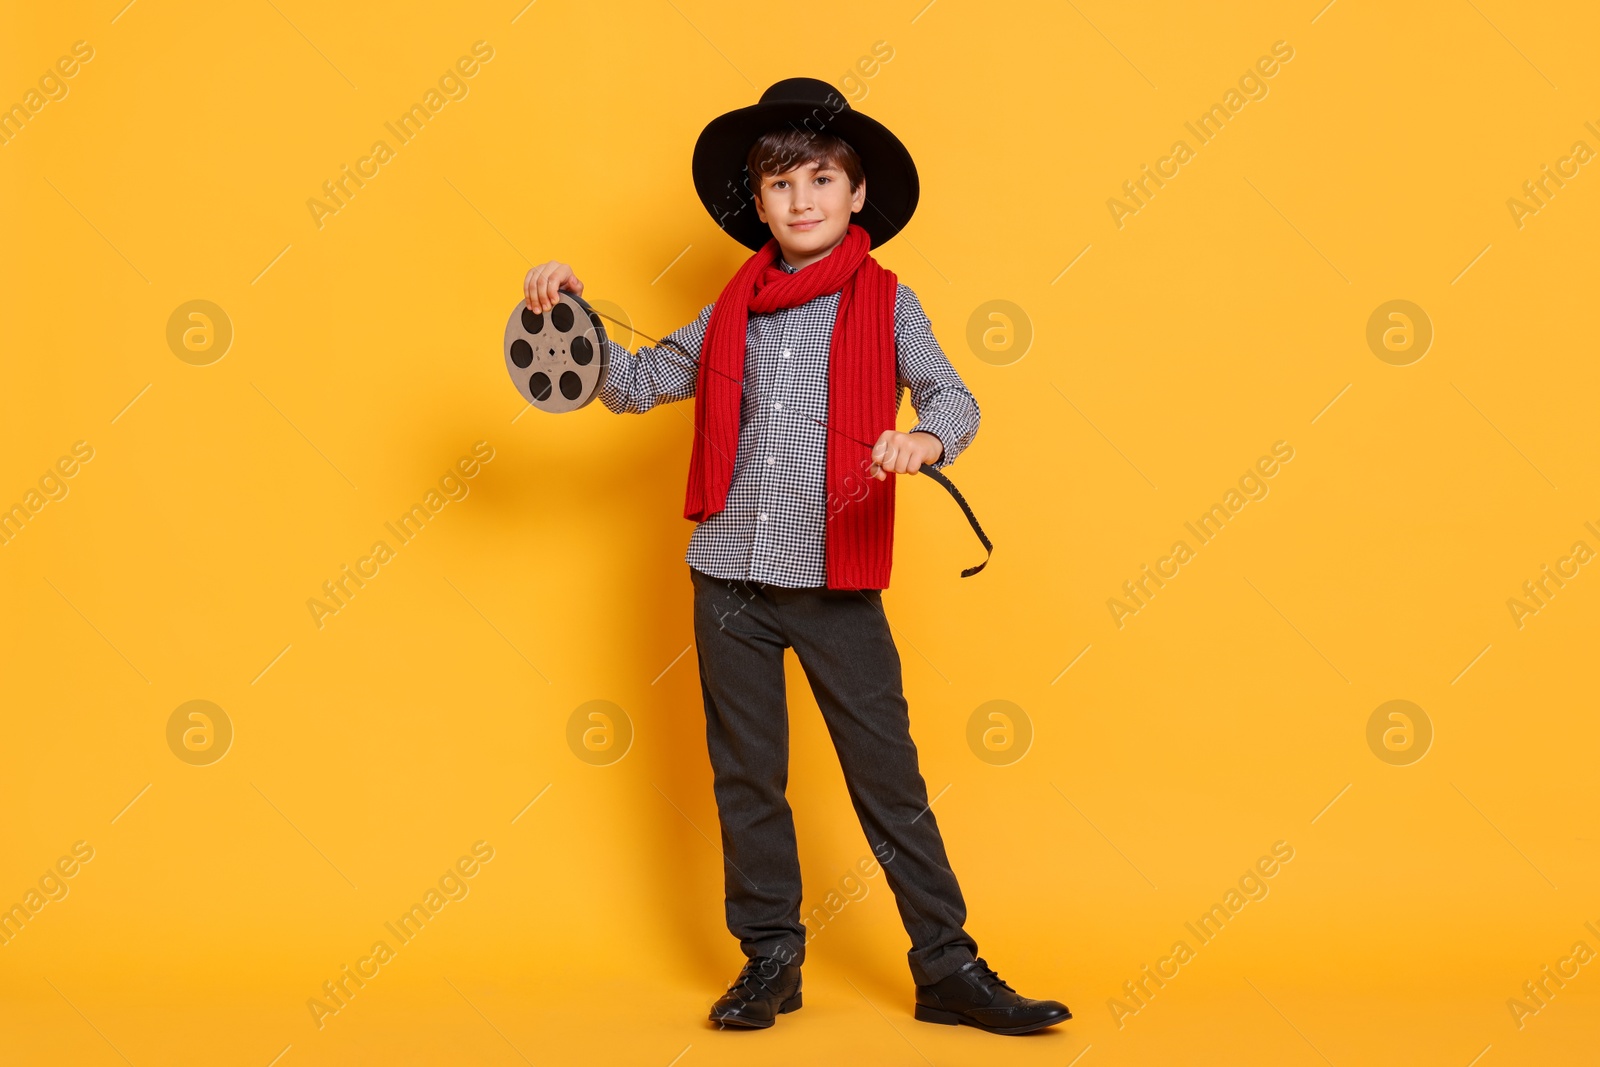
849, 655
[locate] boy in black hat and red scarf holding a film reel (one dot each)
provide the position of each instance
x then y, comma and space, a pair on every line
798, 374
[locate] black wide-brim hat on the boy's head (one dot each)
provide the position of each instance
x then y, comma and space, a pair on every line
727, 190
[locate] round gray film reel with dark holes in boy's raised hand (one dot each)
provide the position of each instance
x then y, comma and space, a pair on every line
556, 359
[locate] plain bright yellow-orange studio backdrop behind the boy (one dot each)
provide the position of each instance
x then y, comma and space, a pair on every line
1167, 356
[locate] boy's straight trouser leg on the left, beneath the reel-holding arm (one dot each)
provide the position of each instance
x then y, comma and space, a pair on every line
742, 666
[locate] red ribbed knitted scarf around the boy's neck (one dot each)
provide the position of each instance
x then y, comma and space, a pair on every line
860, 537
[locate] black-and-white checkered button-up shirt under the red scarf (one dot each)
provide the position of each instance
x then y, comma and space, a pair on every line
772, 529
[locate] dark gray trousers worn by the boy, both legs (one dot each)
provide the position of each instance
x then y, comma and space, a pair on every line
842, 641
